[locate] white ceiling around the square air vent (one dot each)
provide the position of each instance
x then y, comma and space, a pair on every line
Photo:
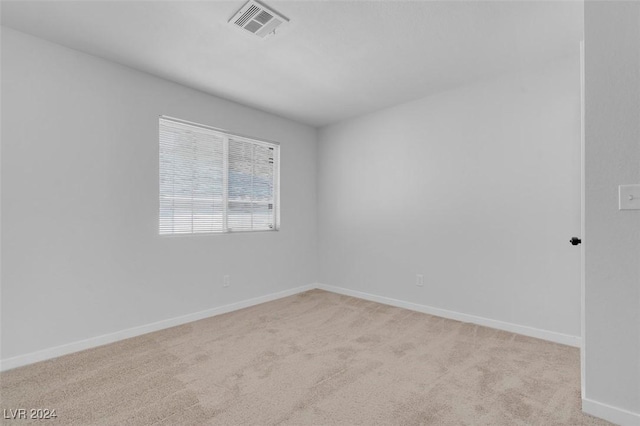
335, 60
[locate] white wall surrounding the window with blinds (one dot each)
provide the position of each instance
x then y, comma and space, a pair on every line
81, 253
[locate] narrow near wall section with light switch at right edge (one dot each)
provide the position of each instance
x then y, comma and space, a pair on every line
612, 237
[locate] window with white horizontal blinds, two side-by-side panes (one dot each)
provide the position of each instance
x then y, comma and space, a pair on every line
213, 181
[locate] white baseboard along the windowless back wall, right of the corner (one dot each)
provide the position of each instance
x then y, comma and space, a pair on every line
552, 336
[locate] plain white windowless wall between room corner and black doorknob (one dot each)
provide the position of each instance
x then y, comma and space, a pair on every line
477, 188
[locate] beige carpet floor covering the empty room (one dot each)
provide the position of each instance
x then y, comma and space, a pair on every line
313, 358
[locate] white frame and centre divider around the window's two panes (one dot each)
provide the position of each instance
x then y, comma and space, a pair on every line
226, 135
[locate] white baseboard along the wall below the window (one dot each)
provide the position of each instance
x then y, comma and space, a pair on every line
30, 358
